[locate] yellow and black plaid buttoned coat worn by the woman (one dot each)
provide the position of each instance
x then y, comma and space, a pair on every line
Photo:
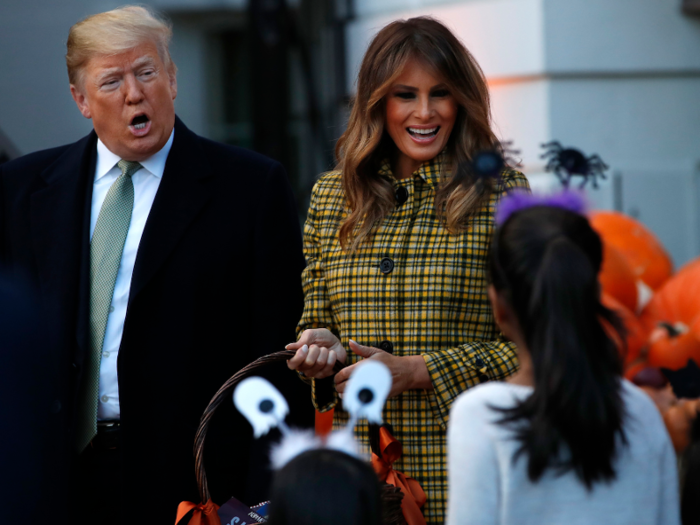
432, 302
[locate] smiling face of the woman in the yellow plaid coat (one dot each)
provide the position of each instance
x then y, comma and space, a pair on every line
420, 115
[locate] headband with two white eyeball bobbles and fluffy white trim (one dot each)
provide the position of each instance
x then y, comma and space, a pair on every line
265, 408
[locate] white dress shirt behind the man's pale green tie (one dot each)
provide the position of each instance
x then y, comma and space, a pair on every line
146, 182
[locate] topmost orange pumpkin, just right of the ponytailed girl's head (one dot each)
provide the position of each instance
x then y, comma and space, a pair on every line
643, 251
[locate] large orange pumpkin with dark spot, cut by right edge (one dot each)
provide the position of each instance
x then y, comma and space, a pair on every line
673, 318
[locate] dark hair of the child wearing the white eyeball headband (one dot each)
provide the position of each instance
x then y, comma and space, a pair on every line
325, 486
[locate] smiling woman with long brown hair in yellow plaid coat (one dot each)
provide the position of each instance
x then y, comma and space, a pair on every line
396, 241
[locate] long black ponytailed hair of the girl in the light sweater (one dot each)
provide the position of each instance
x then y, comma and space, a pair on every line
544, 262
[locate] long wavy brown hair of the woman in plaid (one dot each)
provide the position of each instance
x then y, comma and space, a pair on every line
365, 143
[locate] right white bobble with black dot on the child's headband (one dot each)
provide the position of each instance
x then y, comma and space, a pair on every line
367, 390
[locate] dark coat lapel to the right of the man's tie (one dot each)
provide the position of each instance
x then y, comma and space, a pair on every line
181, 195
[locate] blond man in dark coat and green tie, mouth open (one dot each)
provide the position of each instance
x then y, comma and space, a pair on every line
152, 251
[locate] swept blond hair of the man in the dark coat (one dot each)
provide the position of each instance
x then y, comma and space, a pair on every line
114, 32
